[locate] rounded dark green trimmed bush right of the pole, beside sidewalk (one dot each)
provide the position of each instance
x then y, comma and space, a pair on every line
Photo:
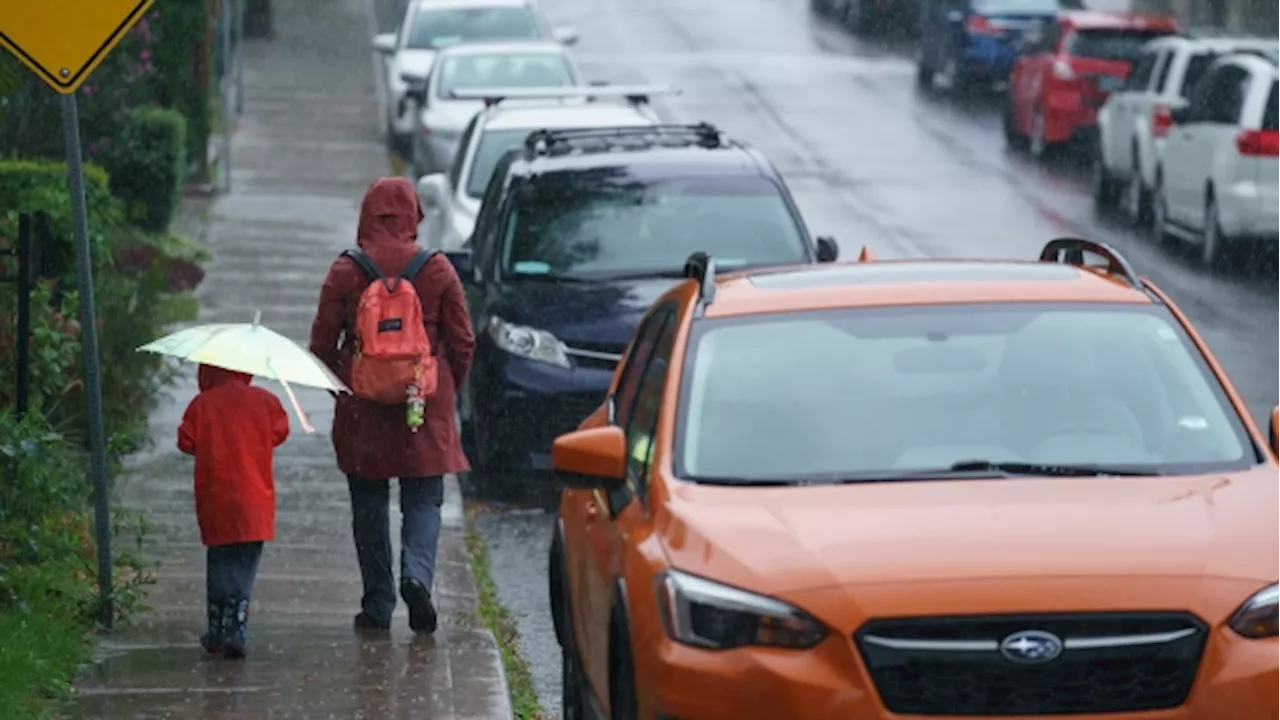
148, 165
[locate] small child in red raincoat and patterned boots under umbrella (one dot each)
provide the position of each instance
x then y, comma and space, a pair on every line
234, 430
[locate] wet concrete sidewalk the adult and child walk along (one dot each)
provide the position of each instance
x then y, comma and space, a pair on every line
307, 149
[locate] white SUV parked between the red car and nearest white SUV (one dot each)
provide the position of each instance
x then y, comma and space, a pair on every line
1135, 121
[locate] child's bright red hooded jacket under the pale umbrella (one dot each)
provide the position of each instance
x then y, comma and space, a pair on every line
234, 429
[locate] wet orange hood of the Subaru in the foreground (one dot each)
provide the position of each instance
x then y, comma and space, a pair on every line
785, 540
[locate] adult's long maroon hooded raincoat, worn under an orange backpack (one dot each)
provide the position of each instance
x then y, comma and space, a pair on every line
372, 440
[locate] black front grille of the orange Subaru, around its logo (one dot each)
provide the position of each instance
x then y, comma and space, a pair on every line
1109, 663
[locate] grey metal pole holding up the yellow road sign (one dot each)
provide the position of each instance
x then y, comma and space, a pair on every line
93, 380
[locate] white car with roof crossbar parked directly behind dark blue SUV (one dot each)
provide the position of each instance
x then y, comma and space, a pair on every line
452, 199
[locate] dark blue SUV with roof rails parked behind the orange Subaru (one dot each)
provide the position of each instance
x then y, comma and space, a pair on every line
578, 234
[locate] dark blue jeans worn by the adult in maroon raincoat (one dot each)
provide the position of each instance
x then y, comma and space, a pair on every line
371, 526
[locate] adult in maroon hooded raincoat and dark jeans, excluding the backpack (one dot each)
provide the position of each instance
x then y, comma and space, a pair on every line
373, 441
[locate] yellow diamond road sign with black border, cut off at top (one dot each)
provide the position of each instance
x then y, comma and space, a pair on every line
63, 42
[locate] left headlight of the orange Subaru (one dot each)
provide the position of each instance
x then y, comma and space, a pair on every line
705, 614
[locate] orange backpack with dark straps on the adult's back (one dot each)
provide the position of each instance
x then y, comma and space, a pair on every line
394, 352
